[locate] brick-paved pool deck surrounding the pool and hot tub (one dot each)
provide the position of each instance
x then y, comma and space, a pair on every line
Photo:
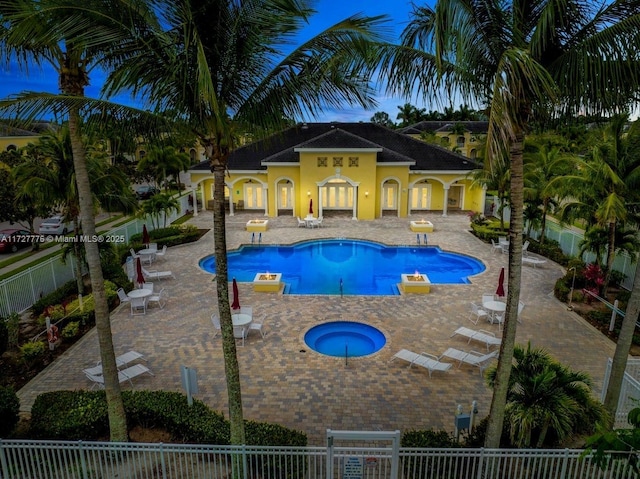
285, 382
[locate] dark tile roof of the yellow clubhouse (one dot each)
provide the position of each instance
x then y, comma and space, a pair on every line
395, 147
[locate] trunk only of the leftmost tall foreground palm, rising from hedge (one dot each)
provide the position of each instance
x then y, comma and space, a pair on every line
115, 406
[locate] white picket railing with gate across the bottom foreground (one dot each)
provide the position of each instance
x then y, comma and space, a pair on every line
87, 460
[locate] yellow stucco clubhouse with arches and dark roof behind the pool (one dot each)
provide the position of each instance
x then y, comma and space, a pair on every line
360, 170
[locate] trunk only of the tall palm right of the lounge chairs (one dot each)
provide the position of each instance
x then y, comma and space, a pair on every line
501, 384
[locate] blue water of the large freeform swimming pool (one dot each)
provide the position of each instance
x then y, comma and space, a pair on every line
363, 267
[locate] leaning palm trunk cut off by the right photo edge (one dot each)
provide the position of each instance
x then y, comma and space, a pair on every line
623, 346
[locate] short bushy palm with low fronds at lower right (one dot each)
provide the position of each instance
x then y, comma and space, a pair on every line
546, 397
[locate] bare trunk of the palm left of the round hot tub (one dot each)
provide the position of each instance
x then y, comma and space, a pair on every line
232, 370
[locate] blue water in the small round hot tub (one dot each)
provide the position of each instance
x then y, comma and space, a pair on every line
345, 339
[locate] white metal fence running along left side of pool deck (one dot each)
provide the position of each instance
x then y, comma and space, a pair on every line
20, 291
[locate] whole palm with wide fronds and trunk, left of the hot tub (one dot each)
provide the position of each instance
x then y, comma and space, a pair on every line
222, 67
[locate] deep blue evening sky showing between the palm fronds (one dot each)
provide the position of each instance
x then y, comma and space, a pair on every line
44, 79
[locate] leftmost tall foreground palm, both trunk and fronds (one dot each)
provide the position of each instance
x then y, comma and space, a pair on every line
35, 32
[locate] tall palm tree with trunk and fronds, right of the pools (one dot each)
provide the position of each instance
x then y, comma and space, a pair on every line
520, 60
